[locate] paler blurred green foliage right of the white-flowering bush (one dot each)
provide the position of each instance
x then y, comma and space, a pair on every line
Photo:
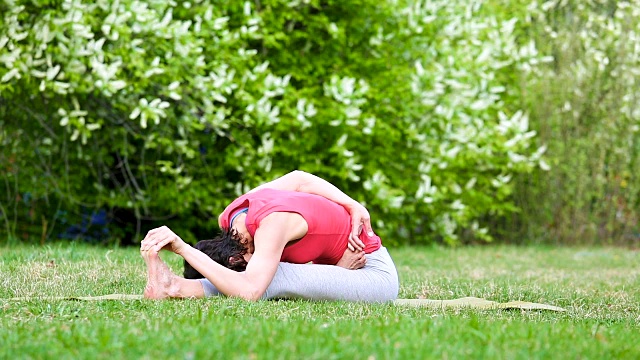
584, 106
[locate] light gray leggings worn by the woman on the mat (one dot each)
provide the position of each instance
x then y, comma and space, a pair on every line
377, 281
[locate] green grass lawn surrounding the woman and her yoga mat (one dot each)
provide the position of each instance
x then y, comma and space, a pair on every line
599, 287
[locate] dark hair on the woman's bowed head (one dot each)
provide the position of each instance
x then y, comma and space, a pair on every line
227, 249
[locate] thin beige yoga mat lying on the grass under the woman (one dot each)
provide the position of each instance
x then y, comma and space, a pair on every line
462, 303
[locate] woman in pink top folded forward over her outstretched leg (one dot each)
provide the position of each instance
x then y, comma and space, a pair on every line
298, 218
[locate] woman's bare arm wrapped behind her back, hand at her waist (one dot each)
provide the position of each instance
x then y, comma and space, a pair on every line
308, 183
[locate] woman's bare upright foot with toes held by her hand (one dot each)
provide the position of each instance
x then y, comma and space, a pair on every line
160, 279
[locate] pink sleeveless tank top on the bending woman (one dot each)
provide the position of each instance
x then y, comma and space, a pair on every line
329, 224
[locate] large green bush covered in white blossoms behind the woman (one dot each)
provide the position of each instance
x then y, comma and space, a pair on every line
163, 112
